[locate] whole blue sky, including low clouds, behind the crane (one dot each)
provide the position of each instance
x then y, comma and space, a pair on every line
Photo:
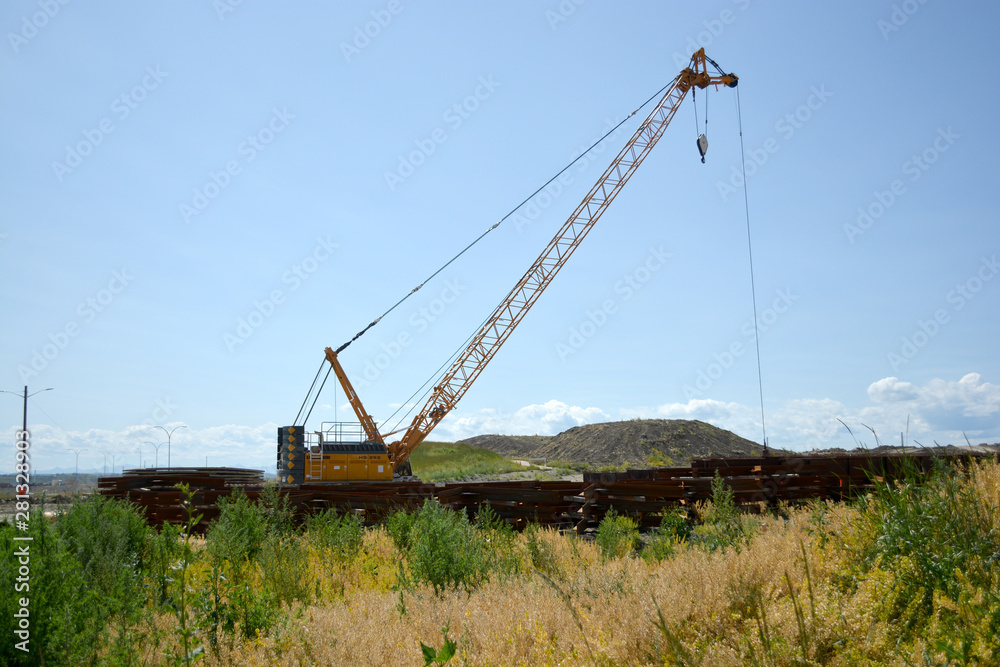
197, 198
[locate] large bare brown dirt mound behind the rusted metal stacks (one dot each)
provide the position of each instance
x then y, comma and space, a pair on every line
638, 443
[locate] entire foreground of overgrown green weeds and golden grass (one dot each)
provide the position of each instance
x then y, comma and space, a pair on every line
906, 576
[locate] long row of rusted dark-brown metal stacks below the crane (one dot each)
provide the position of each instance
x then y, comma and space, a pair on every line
640, 494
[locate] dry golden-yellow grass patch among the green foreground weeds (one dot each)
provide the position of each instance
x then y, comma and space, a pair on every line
781, 600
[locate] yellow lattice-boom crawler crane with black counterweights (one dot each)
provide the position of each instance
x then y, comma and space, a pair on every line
369, 457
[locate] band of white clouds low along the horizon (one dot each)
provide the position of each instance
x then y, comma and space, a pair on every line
938, 410
